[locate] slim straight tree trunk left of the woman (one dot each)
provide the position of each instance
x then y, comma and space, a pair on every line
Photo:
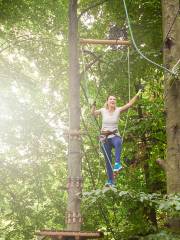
74, 156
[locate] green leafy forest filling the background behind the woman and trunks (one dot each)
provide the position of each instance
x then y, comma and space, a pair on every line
34, 119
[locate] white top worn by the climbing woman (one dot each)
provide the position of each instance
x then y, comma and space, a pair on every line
110, 120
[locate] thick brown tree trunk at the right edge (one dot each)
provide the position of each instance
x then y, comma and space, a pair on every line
171, 55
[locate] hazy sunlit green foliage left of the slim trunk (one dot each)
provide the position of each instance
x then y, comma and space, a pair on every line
32, 157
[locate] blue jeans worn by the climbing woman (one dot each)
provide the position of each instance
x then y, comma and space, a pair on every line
107, 146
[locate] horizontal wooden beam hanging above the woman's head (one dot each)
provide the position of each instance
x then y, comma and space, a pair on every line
104, 42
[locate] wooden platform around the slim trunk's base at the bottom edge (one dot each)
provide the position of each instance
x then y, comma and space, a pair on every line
68, 235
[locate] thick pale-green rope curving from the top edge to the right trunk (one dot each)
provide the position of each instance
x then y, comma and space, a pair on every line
136, 47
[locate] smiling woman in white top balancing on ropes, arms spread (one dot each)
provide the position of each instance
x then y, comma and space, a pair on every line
110, 136
